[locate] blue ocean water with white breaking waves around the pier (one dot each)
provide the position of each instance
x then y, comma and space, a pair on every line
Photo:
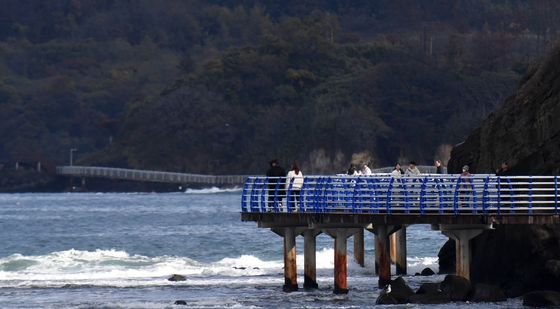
96, 250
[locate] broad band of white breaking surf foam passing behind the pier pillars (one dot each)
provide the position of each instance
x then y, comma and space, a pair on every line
119, 268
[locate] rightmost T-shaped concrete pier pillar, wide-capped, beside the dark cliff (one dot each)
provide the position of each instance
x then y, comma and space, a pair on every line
462, 236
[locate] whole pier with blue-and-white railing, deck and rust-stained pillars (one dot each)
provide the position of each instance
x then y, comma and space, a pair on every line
460, 207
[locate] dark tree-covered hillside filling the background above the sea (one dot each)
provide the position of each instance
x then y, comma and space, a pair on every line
223, 86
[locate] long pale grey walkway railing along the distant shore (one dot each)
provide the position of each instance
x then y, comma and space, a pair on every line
150, 176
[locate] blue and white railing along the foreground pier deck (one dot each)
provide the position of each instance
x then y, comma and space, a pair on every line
423, 194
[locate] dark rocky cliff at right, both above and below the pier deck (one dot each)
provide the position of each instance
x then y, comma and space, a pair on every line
525, 133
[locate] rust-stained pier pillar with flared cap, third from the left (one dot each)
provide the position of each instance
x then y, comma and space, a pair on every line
340, 251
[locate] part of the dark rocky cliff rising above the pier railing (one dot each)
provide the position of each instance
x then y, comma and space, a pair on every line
524, 131
